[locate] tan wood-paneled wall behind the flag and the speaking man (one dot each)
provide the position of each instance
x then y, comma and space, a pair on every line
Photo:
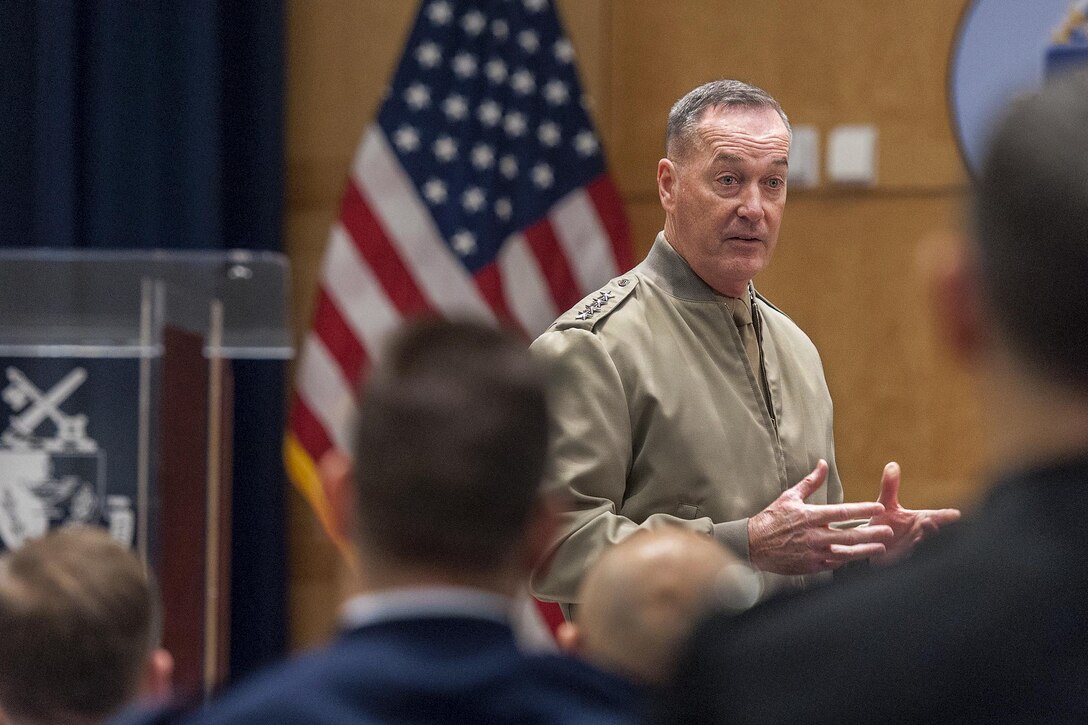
846, 266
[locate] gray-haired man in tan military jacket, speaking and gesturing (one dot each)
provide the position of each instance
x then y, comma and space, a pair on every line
685, 398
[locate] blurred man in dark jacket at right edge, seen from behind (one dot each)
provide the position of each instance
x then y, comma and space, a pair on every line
988, 623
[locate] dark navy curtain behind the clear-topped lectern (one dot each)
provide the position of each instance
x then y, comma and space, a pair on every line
132, 124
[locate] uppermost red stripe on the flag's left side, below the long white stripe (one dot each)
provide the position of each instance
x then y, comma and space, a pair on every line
381, 256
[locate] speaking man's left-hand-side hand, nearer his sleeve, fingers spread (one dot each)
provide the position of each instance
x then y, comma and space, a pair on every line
793, 537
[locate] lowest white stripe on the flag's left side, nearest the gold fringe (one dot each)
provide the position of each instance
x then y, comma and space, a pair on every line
327, 394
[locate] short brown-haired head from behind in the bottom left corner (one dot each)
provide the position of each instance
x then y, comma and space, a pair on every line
79, 626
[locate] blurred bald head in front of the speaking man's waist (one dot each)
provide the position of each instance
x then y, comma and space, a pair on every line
641, 599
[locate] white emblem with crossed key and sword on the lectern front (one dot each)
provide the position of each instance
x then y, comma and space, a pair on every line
52, 472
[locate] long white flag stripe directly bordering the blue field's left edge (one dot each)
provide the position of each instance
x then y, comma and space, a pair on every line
393, 199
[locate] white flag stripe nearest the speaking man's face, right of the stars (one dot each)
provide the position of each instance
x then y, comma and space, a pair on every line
585, 240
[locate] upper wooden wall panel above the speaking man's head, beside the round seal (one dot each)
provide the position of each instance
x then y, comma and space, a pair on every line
827, 62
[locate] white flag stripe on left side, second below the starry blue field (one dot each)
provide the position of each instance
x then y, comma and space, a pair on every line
358, 293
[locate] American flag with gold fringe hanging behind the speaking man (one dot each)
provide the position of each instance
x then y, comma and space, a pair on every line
481, 190
